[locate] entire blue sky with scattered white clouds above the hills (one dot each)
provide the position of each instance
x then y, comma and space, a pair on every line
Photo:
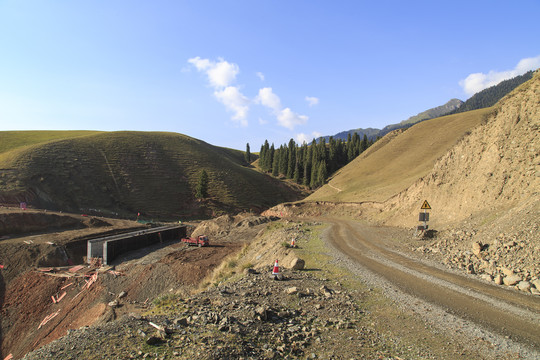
237, 72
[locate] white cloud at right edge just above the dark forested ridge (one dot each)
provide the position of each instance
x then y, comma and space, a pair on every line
479, 81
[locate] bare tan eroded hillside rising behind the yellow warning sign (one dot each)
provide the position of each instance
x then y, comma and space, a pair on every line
494, 169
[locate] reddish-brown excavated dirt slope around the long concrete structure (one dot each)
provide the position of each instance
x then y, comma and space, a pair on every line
129, 285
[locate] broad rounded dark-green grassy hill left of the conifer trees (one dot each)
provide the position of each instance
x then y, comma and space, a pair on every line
128, 172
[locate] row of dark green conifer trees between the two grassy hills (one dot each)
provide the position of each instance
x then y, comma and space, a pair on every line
311, 165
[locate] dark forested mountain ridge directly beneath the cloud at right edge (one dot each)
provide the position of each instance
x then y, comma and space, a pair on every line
488, 97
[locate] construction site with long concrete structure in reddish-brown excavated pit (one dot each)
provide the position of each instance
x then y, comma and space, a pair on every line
64, 271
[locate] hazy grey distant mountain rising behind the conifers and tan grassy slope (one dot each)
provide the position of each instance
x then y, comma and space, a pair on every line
425, 115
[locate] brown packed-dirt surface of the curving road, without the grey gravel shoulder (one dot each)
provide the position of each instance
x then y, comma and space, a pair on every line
501, 310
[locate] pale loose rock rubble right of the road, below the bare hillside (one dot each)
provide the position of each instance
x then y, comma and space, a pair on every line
504, 252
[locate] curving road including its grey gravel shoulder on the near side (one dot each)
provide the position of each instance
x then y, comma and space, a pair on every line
502, 320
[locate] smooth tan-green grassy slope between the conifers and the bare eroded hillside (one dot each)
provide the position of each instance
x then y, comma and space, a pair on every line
399, 159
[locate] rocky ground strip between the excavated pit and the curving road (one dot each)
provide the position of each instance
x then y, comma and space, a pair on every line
321, 311
